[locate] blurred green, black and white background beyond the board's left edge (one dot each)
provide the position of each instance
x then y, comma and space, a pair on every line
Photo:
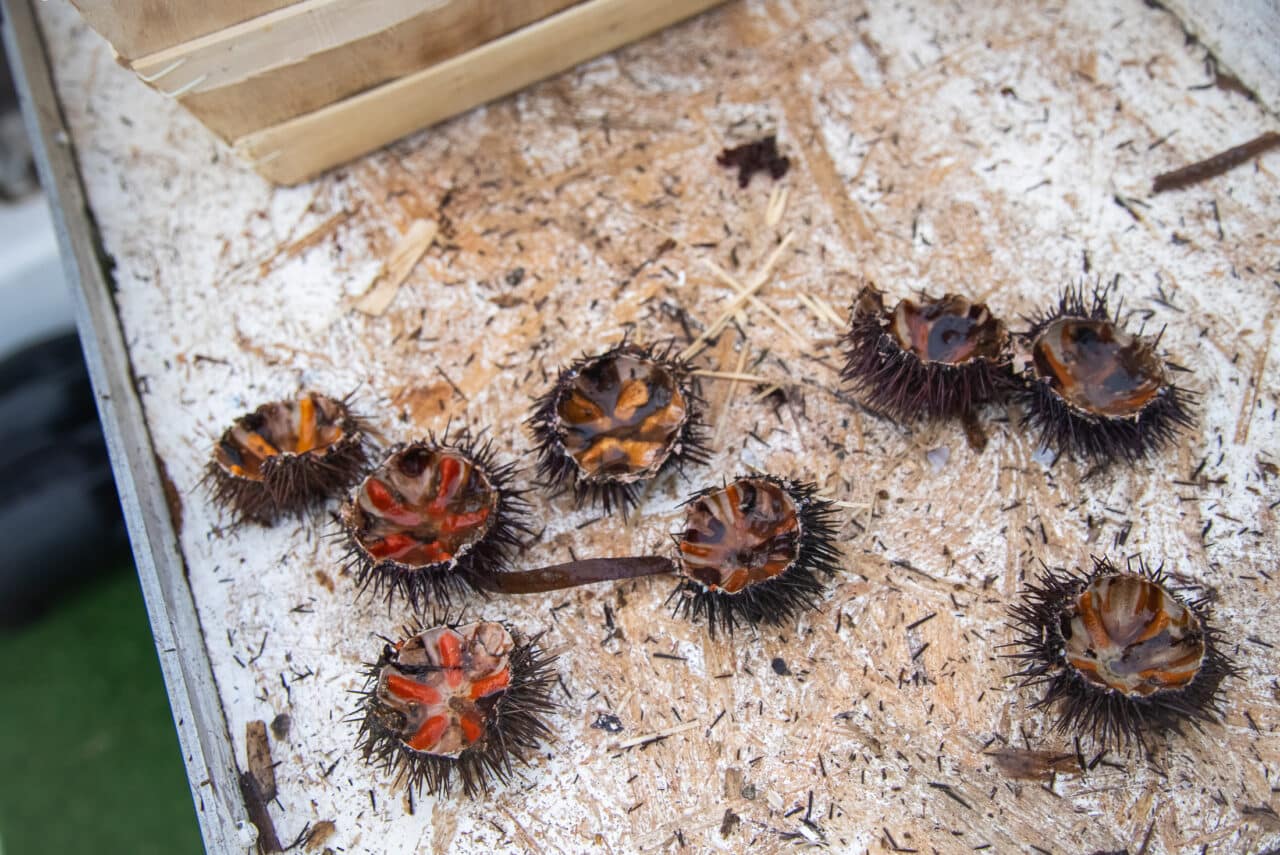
89, 755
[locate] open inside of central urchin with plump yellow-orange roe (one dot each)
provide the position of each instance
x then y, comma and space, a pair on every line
621, 417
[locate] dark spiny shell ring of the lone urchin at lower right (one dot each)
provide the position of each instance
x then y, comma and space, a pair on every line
1112, 719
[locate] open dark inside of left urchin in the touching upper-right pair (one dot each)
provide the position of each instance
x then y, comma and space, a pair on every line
949, 330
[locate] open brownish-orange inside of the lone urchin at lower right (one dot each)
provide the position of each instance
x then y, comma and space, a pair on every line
1128, 634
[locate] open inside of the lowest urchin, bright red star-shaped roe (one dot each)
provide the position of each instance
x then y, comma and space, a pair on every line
444, 685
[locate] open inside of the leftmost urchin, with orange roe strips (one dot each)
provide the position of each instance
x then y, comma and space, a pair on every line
308, 426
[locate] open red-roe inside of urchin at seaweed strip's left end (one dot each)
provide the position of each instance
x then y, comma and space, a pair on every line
423, 507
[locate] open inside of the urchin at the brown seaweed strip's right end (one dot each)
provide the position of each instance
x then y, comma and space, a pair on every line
740, 536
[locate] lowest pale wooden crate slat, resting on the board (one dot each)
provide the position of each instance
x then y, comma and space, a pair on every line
303, 148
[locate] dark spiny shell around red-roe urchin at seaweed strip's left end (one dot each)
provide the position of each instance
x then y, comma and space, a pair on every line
438, 584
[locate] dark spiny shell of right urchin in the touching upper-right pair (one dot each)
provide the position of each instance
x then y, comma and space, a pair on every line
1098, 438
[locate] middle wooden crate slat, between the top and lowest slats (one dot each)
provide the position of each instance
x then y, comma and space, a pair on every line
314, 54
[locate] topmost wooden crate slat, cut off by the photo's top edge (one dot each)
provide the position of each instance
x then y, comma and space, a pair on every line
149, 26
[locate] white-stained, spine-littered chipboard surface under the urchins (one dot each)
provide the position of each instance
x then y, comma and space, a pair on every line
932, 148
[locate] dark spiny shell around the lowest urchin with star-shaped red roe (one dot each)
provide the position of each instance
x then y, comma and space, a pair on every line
513, 734
